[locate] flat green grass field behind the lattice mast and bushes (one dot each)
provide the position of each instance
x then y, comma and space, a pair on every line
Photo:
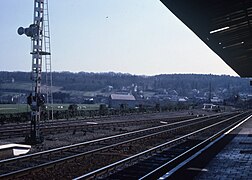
19, 108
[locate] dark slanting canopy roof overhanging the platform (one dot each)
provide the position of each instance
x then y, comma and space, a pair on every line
224, 25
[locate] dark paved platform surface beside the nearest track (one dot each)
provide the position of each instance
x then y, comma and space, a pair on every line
234, 161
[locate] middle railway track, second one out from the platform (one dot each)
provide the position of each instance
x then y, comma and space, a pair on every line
71, 161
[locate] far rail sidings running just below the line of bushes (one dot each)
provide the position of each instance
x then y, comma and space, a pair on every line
62, 126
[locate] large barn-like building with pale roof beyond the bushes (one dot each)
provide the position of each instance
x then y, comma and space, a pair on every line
118, 101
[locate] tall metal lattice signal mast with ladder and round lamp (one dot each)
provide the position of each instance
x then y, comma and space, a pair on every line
40, 39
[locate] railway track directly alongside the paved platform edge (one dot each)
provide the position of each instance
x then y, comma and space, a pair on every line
163, 160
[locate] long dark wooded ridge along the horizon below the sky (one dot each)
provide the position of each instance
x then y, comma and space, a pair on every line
182, 83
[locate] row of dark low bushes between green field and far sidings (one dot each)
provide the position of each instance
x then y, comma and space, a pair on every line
73, 112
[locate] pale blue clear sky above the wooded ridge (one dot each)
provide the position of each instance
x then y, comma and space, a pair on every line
140, 37
